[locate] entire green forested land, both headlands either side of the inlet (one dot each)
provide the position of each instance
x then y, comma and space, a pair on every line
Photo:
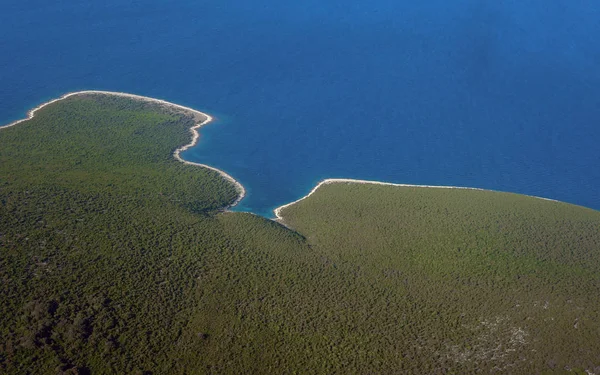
115, 258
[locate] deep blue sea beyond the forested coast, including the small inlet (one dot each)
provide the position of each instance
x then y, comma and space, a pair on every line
502, 95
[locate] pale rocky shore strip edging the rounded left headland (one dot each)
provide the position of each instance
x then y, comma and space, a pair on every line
201, 117
